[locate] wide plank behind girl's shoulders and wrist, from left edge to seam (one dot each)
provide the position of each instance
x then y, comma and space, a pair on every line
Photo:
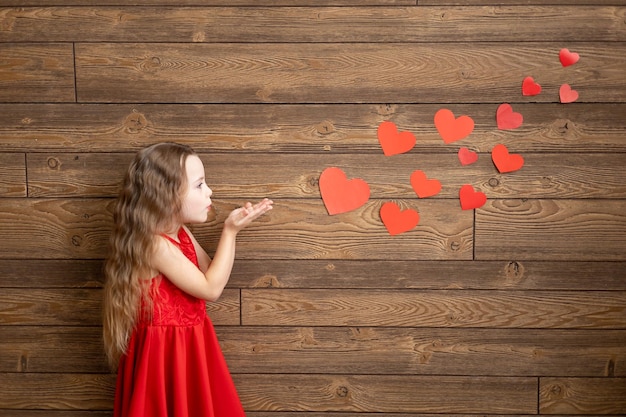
295, 229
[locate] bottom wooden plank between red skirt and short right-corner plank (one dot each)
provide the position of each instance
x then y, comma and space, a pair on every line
387, 394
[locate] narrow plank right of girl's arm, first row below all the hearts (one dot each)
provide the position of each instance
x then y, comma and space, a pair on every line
380, 274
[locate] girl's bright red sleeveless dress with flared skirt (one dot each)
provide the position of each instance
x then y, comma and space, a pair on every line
174, 366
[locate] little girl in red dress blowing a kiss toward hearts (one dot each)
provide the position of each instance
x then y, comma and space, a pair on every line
156, 330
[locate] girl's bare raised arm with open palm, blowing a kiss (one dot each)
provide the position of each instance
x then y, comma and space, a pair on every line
170, 261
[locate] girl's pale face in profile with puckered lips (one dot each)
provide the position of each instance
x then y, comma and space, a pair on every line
197, 196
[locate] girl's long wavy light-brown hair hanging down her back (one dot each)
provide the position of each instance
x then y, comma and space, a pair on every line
149, 202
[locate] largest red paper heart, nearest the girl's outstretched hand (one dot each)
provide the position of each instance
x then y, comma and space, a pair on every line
340, 194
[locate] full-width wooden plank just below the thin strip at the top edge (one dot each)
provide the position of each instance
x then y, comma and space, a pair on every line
314, 24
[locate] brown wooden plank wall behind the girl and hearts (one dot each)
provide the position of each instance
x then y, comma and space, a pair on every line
515, 308
